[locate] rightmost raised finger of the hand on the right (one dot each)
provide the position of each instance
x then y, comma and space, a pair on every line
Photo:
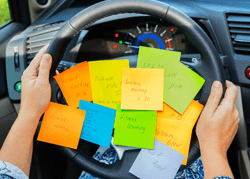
230, 94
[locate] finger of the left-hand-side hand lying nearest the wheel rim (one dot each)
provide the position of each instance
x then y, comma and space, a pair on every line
45, 66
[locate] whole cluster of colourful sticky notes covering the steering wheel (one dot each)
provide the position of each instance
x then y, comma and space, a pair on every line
149, 107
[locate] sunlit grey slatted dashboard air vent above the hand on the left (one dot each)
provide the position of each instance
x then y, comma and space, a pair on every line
40, 37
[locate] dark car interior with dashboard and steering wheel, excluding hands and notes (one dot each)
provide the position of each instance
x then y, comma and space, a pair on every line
213, 37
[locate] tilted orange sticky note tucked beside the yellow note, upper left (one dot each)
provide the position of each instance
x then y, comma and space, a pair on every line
75, 84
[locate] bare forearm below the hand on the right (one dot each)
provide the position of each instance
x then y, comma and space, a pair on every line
215, 164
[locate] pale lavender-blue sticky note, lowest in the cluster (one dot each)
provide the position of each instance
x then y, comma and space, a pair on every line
162, 162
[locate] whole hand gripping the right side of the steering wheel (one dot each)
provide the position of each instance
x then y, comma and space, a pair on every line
218, 123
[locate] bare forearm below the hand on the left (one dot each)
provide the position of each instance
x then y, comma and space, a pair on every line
18, 146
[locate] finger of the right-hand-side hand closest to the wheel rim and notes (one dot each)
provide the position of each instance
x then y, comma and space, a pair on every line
214, 97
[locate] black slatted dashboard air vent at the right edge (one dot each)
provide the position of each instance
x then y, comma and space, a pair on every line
239, 27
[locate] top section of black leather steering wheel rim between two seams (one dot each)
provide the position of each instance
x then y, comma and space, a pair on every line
109, 8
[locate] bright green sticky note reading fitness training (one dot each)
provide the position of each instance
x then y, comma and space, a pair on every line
134, 128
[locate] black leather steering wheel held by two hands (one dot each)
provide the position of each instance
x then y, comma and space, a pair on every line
210, 68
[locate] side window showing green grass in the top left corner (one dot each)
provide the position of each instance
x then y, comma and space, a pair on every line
4, 12
